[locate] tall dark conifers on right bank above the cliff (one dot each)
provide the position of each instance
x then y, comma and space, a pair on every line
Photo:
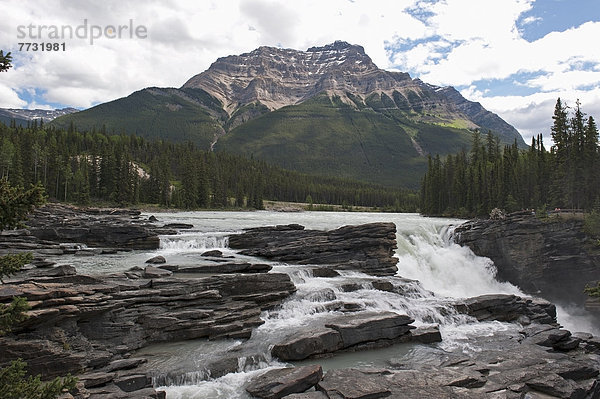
487, 177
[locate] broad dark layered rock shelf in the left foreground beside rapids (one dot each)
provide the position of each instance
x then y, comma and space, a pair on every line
83, 324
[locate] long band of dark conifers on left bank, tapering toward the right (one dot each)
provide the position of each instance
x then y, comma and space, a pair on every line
96, 168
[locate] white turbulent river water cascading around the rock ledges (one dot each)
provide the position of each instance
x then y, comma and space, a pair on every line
426, 253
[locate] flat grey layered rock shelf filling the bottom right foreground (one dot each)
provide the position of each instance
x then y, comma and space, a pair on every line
520, 366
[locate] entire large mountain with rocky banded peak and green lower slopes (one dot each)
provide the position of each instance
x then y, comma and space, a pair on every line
327, 110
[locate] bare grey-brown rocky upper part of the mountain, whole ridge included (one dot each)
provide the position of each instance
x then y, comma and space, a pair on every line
275, 77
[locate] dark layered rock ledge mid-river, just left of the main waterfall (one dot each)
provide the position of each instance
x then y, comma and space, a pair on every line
368, 248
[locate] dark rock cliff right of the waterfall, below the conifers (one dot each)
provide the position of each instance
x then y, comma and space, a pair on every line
547, 258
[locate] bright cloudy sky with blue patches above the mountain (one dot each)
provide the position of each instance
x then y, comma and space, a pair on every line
515, 57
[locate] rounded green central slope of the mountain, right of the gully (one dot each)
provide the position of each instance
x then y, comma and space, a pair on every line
328, 137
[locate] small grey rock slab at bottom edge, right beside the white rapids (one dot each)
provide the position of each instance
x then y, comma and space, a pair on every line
278, 383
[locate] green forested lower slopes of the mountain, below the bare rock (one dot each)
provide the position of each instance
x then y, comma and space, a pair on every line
381, 139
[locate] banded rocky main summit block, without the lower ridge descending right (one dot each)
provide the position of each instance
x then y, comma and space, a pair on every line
277, 77
